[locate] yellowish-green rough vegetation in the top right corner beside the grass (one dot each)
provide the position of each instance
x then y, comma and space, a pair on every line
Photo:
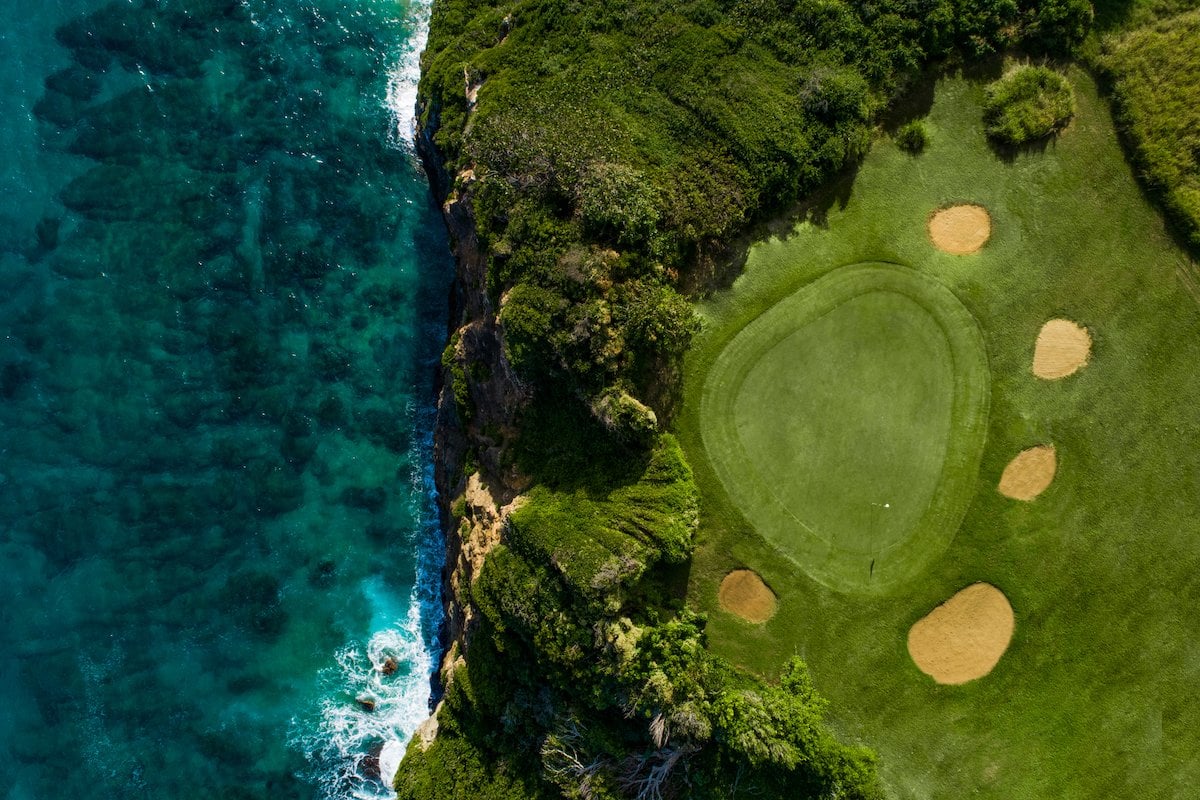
1156, 85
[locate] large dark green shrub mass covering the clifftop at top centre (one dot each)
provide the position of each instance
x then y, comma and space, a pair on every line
619, 146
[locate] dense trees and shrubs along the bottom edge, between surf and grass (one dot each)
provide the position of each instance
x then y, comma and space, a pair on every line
561, 700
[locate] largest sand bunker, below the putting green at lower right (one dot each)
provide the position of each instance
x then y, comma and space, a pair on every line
963, 639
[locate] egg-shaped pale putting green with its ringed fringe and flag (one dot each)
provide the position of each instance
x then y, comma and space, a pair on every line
848, 424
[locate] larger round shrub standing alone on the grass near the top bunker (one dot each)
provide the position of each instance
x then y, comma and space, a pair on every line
1027, 105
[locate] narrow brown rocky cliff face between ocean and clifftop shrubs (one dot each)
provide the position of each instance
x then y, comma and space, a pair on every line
477, 489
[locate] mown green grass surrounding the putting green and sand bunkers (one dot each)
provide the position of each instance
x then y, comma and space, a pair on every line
1096, 696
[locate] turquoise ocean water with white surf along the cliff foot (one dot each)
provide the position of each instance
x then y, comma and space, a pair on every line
224, 294
